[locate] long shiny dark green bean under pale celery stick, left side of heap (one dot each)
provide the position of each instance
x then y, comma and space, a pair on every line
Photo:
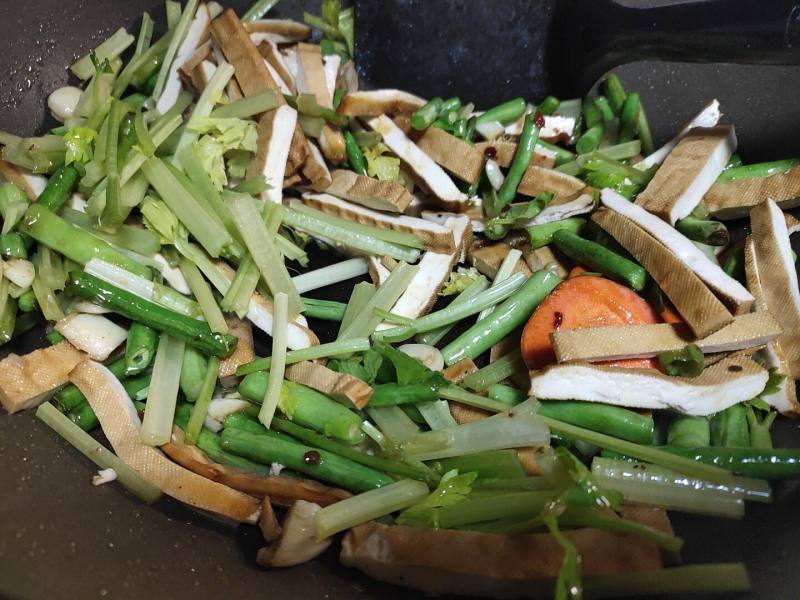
195, 333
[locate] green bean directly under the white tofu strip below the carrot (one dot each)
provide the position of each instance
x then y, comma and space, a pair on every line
612, 420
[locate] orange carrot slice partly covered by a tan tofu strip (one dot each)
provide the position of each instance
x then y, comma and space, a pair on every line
581, 302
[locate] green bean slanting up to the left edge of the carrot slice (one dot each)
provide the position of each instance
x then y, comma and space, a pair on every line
514, 311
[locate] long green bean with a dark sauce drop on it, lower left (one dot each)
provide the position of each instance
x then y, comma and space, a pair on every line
270, 447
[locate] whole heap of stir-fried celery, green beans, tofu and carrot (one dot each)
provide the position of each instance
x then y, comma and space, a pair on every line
632, 358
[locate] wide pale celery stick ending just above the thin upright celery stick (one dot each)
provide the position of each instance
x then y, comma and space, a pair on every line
266, 256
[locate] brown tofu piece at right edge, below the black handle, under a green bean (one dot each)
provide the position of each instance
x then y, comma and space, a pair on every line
734, 200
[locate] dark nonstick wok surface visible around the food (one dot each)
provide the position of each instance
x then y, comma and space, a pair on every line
62, 538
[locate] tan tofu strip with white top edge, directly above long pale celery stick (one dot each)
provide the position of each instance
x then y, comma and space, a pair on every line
436, 238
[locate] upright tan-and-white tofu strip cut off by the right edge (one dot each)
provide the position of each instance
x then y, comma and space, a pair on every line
778, 277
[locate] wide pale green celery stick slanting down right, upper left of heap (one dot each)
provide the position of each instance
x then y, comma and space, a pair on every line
205, 228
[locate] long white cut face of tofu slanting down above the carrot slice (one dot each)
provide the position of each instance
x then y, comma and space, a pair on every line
731, 291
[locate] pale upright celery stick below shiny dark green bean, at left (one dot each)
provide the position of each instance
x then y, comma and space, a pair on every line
162, 395
